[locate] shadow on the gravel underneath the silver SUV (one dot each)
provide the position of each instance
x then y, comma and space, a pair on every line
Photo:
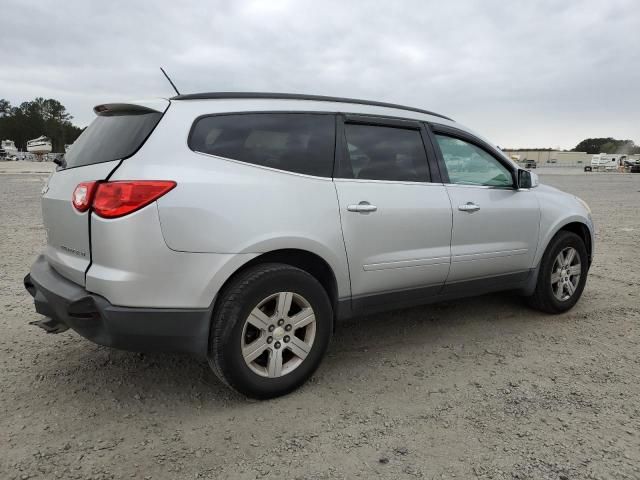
171, 378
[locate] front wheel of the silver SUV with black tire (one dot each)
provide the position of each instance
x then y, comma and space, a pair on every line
545, 296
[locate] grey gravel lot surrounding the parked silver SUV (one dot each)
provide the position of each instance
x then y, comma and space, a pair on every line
481, 388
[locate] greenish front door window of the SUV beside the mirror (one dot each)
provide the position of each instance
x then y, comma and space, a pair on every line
468, 164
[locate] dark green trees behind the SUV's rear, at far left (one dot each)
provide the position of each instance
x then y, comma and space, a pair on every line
38, 117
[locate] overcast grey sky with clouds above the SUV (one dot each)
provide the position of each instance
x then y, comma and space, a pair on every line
523, 73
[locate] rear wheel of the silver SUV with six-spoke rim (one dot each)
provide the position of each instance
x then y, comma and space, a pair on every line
248, 313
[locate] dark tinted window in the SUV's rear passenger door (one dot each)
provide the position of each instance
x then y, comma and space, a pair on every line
385, 153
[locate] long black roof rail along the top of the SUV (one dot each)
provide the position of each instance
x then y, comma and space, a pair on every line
297, 96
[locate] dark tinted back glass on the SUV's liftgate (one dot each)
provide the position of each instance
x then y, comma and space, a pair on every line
111, 137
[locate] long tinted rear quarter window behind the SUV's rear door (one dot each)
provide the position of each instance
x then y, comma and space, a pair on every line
296, 142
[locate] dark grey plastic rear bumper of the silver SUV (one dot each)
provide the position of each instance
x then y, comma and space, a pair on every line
92, 316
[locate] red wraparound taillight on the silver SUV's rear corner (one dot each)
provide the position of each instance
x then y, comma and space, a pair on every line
116, 199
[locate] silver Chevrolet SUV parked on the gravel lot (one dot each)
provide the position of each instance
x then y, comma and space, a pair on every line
241, 227
